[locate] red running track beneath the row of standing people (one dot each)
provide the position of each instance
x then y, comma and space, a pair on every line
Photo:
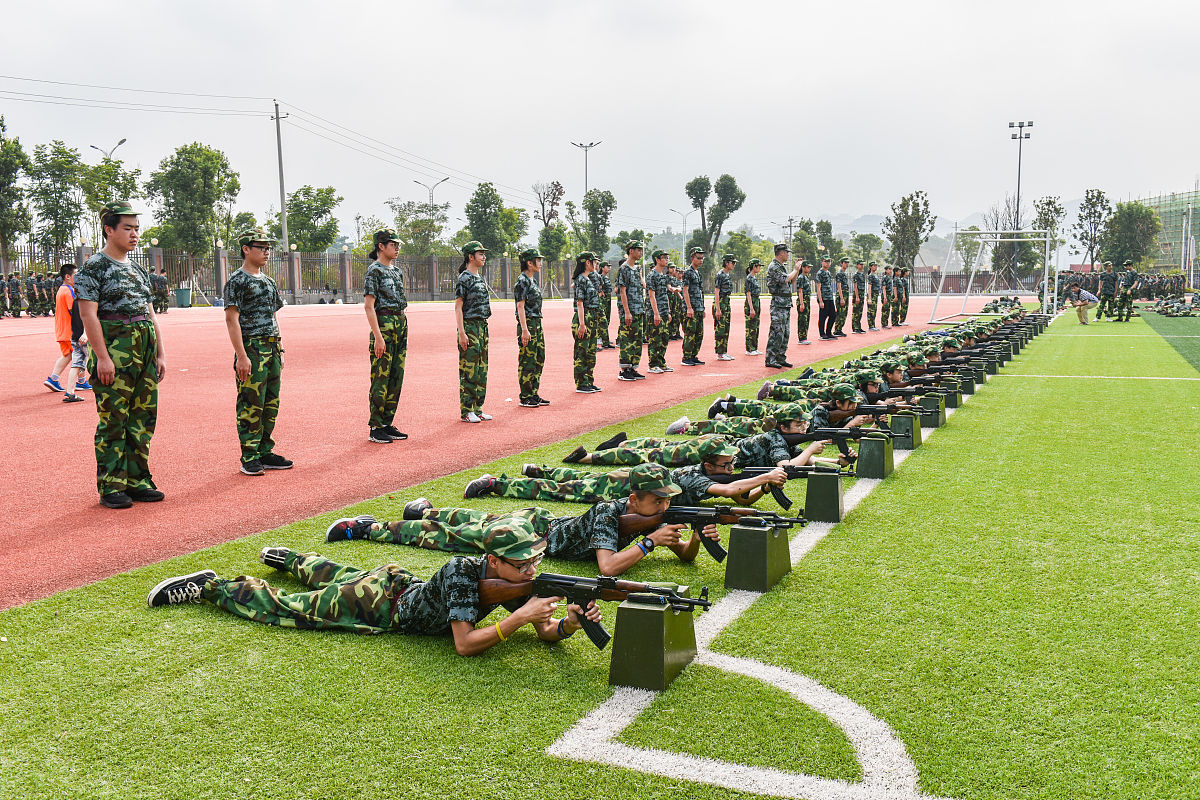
58, 537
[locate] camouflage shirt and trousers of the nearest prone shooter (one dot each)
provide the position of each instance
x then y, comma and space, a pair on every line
387, 599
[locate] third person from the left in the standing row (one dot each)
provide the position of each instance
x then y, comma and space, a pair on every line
383, 298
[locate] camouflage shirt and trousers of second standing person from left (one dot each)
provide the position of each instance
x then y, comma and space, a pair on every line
257, 299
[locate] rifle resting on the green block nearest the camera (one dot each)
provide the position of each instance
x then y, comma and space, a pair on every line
585, 591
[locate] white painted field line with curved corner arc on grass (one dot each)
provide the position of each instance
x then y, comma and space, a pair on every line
889, 773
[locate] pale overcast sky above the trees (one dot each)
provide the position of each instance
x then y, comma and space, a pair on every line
817, 109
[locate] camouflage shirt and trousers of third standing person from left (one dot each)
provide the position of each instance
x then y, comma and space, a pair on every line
387, 286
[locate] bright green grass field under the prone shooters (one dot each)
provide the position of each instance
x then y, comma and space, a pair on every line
1018, 603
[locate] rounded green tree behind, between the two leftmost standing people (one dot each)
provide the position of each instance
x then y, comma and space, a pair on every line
195, 188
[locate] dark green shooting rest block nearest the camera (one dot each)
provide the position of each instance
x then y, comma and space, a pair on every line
652, 645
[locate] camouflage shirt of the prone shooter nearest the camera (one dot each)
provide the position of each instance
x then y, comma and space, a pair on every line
451, 596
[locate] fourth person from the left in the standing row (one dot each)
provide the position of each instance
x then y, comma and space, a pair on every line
472, 308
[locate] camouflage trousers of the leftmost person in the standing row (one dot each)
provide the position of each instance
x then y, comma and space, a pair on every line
127, 411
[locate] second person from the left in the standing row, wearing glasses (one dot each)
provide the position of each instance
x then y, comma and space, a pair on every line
251, 300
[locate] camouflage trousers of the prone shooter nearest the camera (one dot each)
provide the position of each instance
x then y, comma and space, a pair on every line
341, 598
